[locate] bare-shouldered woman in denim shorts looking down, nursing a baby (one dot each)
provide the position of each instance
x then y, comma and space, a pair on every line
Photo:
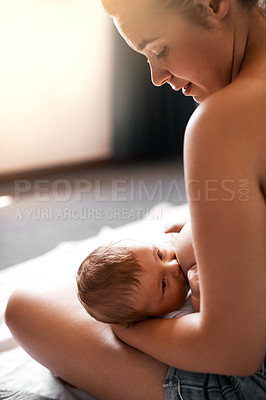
215, 51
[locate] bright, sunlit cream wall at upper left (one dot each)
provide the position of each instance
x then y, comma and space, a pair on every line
55, 83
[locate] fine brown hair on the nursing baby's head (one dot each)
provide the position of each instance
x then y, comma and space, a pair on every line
107, 281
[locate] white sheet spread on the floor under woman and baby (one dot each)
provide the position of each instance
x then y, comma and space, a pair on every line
21, 377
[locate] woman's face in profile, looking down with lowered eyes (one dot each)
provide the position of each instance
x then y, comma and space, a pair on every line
179, 52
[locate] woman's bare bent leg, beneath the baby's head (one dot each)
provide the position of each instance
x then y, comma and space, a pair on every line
54, 329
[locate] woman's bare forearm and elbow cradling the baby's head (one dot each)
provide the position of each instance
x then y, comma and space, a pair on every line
187, 343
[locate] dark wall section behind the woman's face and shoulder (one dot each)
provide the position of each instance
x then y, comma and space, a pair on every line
147, 121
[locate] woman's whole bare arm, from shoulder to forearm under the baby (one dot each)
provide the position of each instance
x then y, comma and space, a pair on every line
228, 335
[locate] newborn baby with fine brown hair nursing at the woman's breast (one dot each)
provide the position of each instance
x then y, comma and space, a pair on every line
128, 281
